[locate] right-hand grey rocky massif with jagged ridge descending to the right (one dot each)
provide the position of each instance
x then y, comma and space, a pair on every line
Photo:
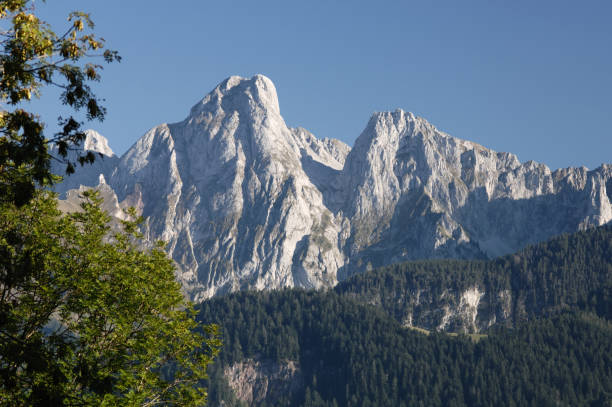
415, 192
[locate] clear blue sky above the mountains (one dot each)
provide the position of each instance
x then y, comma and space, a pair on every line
529, 77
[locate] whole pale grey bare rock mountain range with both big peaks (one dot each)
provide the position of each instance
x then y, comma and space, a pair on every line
246, 202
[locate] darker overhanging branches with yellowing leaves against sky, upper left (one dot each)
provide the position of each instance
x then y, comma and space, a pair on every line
34, 56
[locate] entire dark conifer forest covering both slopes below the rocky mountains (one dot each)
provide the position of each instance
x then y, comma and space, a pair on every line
352, 350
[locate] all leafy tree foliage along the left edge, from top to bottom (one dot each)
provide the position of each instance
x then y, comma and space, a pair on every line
89, 315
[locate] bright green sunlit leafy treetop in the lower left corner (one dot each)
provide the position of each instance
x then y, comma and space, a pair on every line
89, 318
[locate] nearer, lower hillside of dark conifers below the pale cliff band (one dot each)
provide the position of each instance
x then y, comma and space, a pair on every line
351, 354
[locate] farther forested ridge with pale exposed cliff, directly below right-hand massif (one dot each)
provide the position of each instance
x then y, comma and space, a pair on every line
568, 272
